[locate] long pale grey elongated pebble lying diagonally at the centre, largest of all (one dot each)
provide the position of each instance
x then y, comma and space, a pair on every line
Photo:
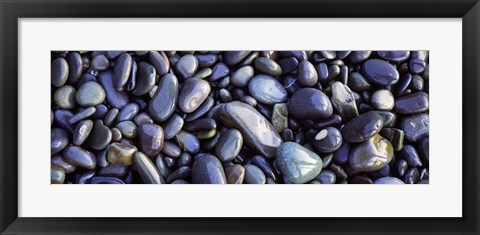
257, 131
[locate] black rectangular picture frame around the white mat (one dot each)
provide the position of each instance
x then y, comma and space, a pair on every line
12, 10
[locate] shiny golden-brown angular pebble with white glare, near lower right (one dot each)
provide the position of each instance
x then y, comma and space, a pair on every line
371, 155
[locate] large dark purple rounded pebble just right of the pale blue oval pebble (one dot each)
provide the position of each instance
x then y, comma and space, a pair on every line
310, 103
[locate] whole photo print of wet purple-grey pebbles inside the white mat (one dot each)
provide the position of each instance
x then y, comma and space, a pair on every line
239, 117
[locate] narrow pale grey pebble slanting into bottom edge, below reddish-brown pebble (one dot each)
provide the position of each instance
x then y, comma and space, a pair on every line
146, 169
